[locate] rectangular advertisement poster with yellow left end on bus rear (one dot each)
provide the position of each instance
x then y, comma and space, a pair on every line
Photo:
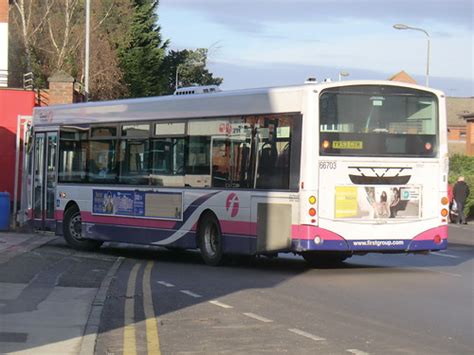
377, 202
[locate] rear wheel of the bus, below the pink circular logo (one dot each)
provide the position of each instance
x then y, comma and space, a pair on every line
210, 240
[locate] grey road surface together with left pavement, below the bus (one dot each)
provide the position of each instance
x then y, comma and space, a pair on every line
129, 300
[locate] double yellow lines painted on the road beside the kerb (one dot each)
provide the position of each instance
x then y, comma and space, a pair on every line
129, 332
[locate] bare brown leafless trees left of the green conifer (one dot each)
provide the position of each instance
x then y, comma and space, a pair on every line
47, 36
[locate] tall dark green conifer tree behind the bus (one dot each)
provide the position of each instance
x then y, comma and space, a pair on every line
143, 53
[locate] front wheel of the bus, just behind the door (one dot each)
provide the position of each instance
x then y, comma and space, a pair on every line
73, 231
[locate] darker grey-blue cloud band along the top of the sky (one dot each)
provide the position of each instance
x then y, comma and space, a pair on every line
253, 15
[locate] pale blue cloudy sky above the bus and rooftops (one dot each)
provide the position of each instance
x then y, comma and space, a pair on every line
261, 43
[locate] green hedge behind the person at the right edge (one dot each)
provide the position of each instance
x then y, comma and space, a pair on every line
463, 165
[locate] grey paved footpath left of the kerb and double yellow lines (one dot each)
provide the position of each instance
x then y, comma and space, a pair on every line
41, 311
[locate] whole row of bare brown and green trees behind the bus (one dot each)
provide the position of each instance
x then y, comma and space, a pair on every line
127, 57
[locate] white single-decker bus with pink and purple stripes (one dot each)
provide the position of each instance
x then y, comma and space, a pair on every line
323, 170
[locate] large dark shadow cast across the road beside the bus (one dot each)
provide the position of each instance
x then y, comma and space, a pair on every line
186, 271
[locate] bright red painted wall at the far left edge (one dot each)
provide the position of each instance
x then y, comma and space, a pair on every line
12, 104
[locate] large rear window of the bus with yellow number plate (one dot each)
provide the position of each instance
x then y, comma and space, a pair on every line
378, 121
